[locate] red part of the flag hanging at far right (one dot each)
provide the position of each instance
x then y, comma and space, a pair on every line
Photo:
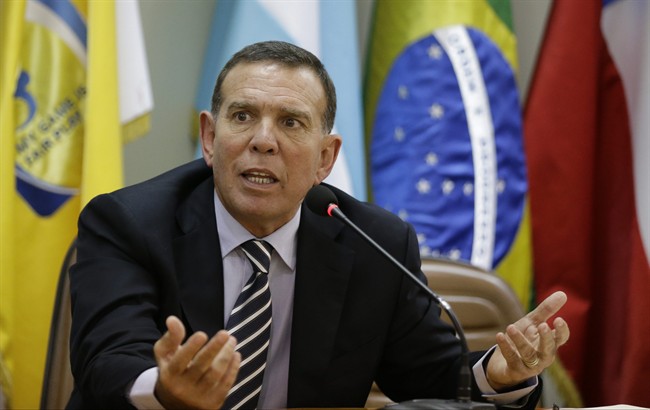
586, 238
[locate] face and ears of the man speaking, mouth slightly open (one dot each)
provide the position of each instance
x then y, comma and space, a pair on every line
267, 146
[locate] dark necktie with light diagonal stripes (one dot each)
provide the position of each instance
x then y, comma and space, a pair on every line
250, 324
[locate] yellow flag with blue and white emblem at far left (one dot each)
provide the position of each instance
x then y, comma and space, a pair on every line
61, 145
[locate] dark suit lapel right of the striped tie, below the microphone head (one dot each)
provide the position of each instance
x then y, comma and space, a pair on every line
322, 273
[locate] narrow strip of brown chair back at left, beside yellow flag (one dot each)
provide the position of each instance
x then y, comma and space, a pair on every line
57, 380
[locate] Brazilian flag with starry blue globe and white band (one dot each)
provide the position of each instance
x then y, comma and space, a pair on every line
444, 131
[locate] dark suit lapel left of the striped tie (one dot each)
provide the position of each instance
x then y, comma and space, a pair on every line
198, 261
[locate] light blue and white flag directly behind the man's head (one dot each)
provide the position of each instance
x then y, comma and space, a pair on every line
327, 29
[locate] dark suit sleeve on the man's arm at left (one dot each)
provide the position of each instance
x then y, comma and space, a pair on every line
115, 304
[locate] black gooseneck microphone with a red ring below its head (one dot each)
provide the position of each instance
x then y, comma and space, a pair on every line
322, 201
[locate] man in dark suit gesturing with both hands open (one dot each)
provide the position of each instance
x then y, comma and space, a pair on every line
159, 269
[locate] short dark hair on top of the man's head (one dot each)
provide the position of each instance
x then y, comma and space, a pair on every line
285, 54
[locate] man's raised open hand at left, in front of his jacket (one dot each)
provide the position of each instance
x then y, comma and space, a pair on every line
198, 373
